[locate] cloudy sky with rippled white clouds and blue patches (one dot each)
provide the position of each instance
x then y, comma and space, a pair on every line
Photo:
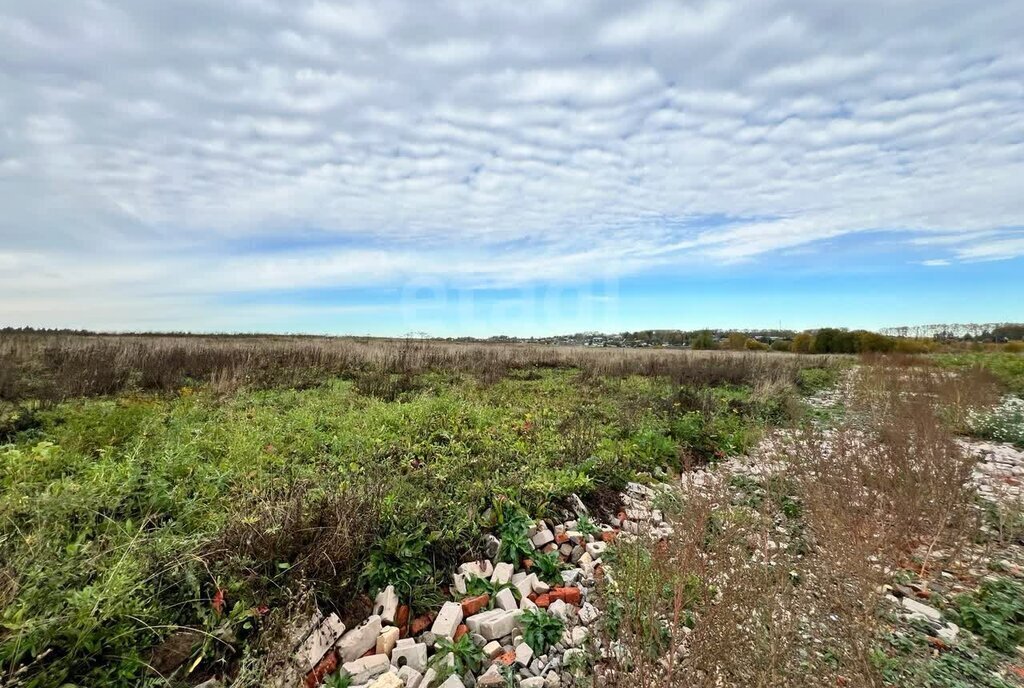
523, 168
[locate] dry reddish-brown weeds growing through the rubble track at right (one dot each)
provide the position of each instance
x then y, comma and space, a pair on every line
783, 573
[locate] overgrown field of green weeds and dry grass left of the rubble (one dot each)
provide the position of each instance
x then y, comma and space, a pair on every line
178, 502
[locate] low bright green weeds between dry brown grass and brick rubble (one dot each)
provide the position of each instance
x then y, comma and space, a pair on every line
114, 511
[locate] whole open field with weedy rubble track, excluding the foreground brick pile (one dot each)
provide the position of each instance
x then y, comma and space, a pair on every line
170, 505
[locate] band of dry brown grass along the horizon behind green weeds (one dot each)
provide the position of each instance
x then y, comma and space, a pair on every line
59, 367
